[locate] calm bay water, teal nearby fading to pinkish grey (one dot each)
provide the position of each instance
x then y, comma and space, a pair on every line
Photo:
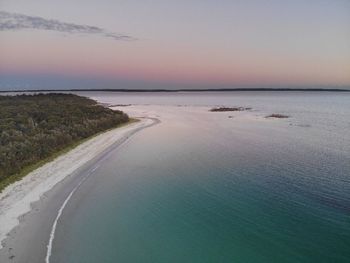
201, 187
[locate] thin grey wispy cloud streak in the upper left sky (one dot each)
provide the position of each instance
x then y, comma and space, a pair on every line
14, 21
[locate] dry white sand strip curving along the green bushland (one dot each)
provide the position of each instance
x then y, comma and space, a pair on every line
17, 199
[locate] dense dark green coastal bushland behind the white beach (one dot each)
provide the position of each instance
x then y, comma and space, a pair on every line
36, 128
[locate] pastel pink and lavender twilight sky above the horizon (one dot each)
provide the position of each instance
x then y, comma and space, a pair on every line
126, 44
